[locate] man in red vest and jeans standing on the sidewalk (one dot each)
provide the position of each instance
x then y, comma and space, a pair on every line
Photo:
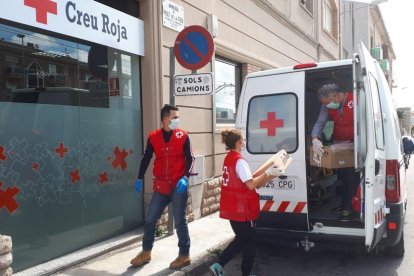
172, 167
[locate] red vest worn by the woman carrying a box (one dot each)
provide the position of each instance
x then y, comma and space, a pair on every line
237, 202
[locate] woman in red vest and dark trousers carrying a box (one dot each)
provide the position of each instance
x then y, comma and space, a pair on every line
239, 202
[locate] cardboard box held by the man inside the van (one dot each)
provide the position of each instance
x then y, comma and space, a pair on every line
335, 156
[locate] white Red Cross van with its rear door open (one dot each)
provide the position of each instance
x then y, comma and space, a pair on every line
277, 110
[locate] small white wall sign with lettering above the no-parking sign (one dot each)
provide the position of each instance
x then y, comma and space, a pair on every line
172, 15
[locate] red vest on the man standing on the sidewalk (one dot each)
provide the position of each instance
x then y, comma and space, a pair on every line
169, 164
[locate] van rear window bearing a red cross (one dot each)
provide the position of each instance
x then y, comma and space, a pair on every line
272, 123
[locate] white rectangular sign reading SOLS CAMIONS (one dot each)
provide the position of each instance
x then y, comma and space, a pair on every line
193, 84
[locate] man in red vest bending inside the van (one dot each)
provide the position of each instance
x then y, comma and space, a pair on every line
337, 106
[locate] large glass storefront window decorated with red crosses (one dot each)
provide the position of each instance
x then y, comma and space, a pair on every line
70, 142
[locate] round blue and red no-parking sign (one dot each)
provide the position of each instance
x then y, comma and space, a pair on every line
194, 47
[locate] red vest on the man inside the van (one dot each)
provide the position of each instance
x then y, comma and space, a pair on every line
343, 123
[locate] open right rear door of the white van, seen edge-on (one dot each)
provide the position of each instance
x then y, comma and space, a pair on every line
369, 146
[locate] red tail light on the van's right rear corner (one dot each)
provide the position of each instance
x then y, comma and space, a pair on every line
392, 189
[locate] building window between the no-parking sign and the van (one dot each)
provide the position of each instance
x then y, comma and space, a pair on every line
227, 90
